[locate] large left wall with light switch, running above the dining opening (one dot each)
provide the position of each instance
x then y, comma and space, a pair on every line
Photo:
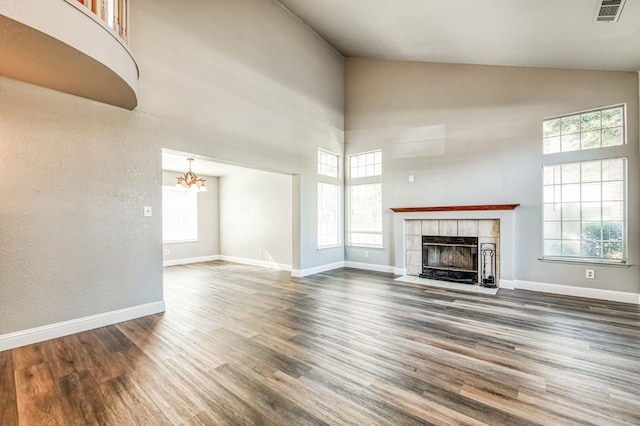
242, 81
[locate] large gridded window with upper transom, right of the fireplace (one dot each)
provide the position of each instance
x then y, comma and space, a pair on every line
584, 212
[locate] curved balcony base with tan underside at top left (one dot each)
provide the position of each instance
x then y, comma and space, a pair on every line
45, 42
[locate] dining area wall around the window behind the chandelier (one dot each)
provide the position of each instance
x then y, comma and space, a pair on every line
208, 243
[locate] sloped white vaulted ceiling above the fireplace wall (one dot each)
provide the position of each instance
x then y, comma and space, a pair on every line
537, 33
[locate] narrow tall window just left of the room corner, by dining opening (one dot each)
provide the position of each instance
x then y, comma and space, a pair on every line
328, 200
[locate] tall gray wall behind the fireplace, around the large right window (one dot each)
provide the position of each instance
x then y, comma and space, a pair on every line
491, 152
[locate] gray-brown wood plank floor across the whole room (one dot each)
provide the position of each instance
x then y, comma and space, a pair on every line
244, 345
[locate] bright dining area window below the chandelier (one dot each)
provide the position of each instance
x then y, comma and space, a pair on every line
179, 215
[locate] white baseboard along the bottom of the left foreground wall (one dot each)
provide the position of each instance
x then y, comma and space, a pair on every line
65, 328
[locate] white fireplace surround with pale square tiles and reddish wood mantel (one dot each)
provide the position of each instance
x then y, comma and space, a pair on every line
489, 225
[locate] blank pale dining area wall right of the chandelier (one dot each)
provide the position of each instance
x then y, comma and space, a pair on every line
256, 217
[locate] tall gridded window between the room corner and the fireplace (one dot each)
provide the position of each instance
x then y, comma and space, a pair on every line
365, 200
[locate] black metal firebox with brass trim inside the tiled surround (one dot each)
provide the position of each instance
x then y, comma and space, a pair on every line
450, 258
